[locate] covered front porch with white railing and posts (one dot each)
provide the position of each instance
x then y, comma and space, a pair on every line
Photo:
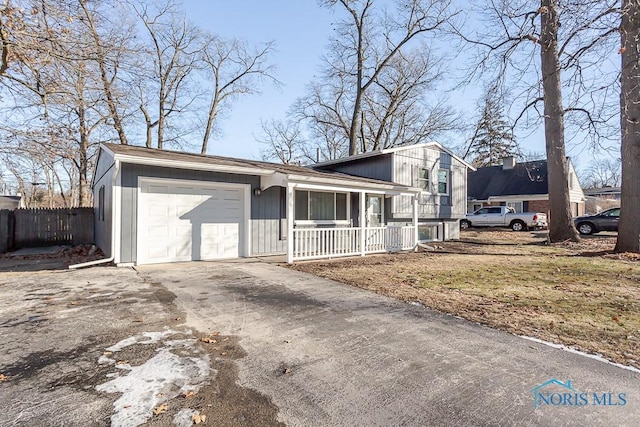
327, 218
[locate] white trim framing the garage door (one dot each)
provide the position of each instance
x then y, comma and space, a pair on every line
245, 251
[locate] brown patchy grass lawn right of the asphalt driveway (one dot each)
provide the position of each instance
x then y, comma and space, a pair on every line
575, 294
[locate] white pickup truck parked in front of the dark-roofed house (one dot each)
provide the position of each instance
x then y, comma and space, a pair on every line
504, 216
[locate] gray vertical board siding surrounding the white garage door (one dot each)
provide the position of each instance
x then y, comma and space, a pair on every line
264, 218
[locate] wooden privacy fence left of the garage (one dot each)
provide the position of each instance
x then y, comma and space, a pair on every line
23, 228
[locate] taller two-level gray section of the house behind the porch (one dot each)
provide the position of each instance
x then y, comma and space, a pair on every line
440, 174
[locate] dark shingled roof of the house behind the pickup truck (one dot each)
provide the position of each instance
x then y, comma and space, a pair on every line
524, 178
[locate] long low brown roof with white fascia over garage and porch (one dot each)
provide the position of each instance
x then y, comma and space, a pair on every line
182, 160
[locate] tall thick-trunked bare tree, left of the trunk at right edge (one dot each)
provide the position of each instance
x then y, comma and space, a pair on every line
517, 32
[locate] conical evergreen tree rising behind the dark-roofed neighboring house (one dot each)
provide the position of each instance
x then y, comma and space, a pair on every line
493, 138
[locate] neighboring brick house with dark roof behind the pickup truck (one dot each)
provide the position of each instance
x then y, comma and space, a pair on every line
523, 186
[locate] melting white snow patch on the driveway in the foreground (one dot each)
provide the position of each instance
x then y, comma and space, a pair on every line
161, 378
